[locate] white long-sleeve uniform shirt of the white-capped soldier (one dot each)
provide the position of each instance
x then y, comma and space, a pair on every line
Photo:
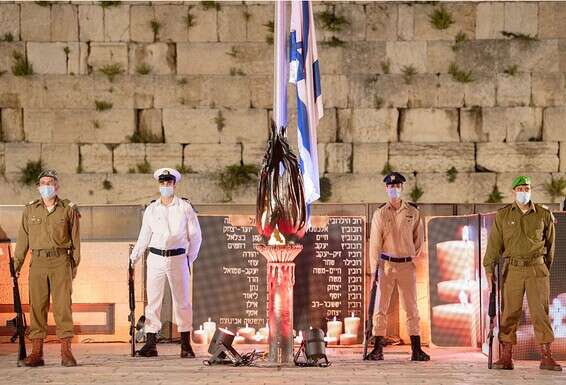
174, 226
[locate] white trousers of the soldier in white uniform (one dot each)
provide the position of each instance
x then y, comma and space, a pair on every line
176, 271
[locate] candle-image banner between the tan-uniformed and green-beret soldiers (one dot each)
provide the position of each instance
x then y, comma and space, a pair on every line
453, 255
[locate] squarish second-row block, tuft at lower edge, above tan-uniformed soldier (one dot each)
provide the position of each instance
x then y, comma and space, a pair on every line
402, 54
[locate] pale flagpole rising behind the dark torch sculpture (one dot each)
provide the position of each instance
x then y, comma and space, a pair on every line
281, 64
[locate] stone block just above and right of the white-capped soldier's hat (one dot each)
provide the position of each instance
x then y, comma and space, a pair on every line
206, 158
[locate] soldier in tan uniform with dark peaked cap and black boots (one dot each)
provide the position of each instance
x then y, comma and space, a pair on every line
396, 238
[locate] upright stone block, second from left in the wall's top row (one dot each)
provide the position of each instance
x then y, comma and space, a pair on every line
35, 22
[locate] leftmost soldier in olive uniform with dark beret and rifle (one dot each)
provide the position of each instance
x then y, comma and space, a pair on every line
50, 229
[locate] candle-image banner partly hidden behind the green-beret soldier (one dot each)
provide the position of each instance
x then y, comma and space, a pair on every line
527, 347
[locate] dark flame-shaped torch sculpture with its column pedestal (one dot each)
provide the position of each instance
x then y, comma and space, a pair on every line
281, 219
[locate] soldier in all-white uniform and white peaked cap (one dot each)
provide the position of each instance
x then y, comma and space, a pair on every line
171, 230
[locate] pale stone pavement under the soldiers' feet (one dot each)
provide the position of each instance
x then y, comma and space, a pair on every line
111, 364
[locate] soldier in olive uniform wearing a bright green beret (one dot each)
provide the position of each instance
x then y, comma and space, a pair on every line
523, 232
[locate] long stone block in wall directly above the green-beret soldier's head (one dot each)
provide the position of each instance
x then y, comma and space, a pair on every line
518, 157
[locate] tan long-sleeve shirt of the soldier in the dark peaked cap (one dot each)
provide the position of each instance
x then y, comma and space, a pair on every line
397, 233
